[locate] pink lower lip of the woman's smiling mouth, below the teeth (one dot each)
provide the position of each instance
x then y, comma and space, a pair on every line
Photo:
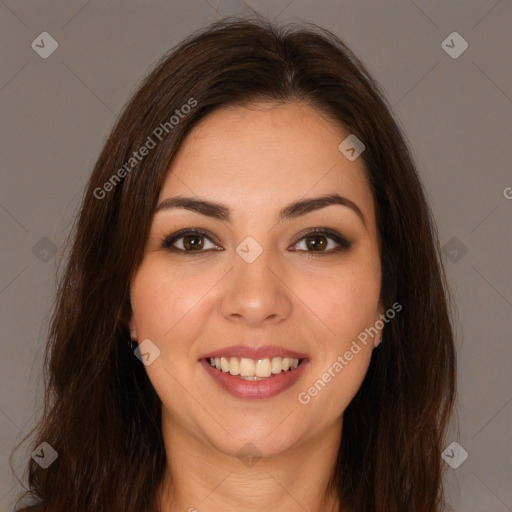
258, 389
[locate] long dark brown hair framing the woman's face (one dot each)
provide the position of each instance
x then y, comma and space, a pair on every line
101, 413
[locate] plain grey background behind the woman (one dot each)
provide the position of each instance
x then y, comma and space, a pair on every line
456, 114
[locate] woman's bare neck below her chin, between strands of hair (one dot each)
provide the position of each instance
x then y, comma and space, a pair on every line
200, 477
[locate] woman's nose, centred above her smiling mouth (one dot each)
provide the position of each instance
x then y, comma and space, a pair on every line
256, 293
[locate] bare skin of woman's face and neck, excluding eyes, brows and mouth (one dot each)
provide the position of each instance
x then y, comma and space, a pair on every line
256, 161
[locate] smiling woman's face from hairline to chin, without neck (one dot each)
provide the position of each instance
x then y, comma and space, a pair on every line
259, 285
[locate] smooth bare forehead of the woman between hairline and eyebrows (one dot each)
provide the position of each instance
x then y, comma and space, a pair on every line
264, 156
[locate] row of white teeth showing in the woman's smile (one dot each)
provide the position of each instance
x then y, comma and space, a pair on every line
250, 369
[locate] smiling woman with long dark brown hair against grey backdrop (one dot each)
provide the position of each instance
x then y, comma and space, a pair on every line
254, 314
